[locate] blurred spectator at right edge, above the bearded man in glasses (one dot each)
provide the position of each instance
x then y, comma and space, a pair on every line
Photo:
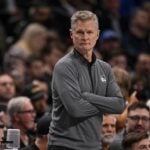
141, 78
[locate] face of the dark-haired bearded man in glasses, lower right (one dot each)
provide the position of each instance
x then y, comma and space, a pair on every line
138, 120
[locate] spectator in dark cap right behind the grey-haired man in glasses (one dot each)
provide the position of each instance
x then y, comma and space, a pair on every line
37, 91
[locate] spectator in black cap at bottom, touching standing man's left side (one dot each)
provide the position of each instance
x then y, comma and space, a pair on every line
41, 141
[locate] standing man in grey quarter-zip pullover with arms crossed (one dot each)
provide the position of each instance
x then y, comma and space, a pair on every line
83, 89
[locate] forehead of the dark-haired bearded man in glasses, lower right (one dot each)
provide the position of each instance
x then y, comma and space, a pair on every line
140, 112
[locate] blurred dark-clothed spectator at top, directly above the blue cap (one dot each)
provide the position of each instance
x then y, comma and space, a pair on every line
110, 17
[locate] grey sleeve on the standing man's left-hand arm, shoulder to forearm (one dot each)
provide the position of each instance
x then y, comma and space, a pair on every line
66, 82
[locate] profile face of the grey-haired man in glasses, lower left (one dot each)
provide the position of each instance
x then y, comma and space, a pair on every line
26, 117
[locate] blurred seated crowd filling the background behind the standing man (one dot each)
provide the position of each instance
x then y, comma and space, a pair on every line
34, 35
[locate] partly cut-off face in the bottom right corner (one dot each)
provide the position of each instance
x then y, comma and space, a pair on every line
143, 144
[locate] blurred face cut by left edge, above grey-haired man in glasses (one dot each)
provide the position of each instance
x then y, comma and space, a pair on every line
7, 87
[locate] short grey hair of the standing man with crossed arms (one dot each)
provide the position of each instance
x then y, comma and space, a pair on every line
84, 15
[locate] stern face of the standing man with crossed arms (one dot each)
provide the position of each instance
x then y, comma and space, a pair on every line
84, 35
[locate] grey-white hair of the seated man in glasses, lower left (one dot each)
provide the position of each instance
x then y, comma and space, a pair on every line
16, 104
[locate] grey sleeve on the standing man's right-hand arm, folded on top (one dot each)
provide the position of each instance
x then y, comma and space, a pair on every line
113, 102
